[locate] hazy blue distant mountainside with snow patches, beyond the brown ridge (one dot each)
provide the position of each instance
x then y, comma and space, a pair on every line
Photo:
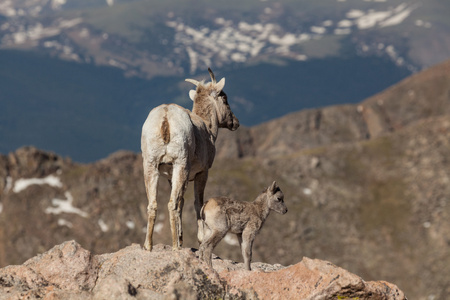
110, 62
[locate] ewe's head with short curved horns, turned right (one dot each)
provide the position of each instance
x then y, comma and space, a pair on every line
212, 93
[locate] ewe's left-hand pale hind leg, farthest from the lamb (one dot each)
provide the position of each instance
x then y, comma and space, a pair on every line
151, 175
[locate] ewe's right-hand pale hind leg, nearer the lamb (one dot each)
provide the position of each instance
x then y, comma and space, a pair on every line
179, 182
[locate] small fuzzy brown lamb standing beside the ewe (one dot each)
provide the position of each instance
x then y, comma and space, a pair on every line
245, 219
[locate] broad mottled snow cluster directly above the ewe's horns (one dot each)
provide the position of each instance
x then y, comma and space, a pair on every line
237, 42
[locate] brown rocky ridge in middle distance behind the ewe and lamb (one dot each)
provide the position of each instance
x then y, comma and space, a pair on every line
367, 187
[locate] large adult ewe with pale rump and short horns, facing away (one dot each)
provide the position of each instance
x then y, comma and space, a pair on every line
180, 145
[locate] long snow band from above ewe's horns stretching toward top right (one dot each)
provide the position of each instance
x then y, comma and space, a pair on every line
227, 41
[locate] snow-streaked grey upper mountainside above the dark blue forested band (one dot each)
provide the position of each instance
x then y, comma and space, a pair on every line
149, 38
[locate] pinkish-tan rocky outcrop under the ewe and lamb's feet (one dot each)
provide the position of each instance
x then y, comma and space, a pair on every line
67, 271
